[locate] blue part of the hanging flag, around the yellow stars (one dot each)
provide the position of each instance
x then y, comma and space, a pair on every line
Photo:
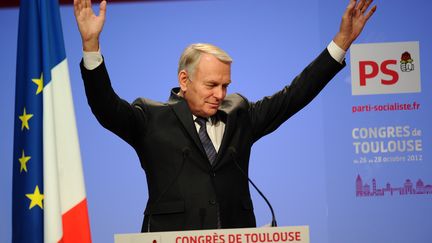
40, 48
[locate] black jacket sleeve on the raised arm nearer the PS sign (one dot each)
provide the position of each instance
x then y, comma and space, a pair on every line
270, 112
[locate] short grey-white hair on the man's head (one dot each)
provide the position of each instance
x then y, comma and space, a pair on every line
192, 54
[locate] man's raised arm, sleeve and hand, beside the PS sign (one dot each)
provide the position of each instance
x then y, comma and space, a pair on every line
269, 113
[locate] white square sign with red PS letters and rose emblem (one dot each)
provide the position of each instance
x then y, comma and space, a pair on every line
385, 68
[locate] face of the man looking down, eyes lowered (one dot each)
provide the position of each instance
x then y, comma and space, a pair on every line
205, 91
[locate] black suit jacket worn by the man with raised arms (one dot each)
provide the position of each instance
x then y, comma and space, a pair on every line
185, 191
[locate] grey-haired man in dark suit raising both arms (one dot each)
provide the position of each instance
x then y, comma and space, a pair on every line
195, 148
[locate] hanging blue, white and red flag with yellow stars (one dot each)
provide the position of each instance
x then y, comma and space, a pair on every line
49, 199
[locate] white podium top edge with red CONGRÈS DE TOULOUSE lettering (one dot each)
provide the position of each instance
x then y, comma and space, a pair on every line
298, 234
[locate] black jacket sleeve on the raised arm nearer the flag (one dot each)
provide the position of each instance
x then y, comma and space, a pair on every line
112, 112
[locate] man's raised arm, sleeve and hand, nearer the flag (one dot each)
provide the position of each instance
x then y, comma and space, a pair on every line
110, 110
